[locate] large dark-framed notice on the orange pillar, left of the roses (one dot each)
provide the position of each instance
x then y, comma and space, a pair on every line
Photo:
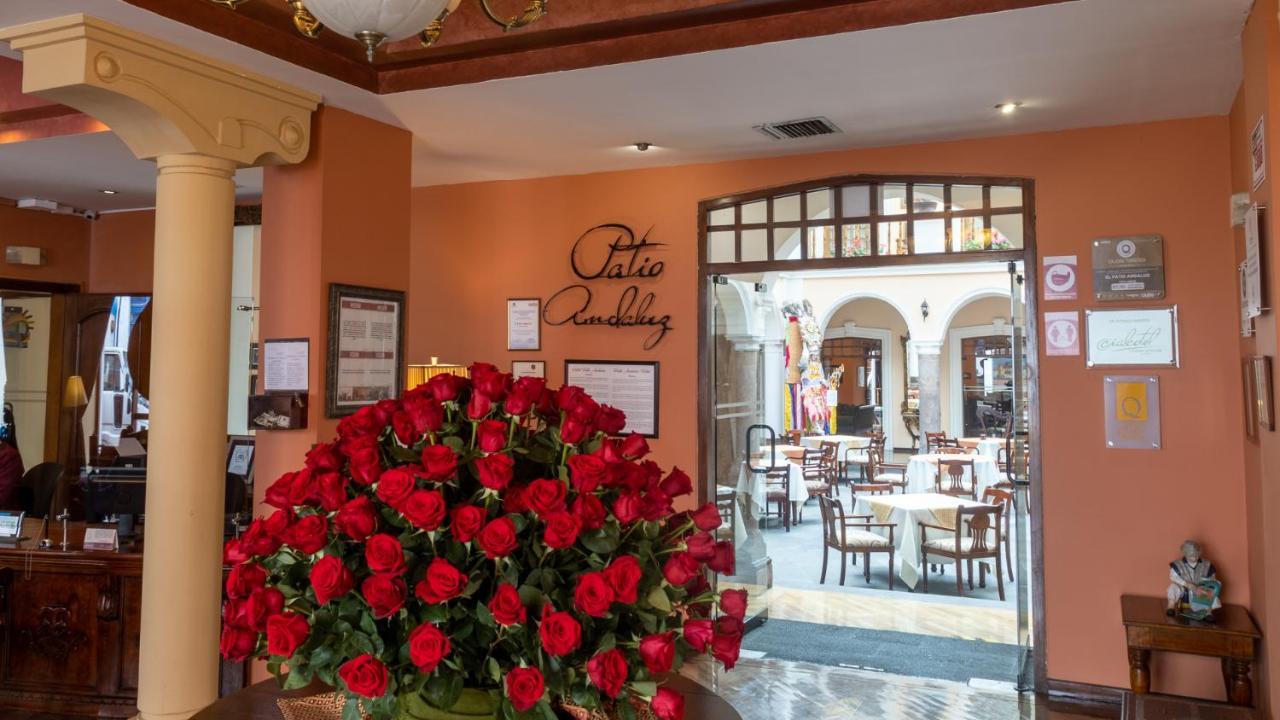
367, 345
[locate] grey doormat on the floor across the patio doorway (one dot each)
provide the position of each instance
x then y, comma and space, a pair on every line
902, 654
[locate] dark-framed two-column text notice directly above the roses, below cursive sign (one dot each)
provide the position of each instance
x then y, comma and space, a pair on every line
632, 388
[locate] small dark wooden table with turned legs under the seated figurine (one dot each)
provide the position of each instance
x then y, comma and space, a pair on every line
1233, 639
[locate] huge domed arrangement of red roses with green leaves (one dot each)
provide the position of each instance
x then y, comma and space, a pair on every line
488, 539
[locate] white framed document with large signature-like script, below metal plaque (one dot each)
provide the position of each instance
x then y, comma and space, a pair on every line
1132, 338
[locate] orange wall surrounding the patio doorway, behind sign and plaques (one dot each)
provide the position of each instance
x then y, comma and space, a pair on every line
1114, 520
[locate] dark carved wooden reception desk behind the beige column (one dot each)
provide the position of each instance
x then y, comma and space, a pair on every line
70, 626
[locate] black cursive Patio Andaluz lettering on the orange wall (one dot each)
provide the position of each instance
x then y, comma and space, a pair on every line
611, 253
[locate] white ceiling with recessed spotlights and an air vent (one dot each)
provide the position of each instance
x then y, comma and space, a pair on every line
1075, 65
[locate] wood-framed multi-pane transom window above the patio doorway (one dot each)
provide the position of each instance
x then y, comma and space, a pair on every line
865, 217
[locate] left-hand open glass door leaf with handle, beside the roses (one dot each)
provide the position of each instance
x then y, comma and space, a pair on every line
738, 468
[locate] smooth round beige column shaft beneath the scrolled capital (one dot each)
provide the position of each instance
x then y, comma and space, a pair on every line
188, 452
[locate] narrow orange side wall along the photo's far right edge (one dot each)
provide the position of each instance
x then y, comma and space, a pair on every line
1260, 97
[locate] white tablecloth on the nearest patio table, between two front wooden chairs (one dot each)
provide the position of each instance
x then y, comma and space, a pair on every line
908, 512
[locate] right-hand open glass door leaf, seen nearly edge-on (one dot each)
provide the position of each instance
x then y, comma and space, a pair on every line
1017, 455
